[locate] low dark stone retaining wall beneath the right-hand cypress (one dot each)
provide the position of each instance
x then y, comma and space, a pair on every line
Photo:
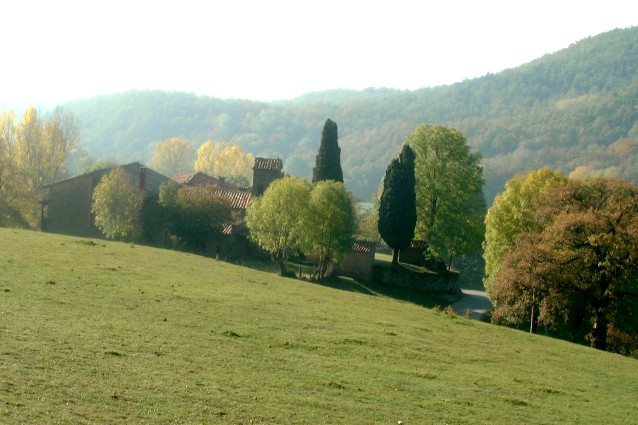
445, 282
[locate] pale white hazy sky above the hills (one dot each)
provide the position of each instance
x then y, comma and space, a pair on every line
54, 51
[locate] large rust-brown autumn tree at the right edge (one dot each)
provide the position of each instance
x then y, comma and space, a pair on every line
578, 269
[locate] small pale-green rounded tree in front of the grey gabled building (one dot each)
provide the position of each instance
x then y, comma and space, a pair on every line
117, 202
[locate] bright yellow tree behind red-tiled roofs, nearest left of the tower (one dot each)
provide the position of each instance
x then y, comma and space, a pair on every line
225, 160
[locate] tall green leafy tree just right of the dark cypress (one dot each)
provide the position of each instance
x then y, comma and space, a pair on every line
449, 192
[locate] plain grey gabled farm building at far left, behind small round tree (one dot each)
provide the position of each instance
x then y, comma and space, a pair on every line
66, 207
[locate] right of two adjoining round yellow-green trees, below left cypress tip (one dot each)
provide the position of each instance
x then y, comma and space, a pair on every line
329, 224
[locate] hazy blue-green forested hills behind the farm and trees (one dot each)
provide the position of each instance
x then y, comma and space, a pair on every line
574, 110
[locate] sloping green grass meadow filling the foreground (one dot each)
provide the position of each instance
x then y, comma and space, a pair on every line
101, 332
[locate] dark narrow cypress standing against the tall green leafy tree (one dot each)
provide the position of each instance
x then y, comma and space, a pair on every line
397, 206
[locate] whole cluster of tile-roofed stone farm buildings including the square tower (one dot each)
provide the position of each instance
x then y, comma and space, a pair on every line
67, 203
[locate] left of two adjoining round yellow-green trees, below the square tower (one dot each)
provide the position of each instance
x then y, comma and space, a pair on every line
275, 219
